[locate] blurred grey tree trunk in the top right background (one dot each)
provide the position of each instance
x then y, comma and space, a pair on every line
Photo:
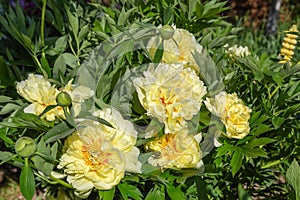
272, 22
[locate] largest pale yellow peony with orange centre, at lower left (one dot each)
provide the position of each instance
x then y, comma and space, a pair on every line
97, 156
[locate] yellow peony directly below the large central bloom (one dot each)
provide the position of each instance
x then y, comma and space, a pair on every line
179, 150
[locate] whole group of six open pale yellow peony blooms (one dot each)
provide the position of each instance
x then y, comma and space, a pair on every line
98, 156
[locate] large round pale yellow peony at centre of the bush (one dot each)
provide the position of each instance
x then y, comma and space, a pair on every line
171, 93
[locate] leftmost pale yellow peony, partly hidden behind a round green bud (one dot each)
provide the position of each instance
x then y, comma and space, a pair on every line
38, 91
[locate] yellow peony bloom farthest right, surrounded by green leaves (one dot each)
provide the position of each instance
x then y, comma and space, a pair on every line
232, 112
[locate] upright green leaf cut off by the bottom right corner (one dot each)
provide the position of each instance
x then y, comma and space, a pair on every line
293, 177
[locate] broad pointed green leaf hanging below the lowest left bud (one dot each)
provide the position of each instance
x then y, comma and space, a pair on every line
27, 182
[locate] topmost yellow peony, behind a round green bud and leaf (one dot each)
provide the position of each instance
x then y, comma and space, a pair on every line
178, 48
